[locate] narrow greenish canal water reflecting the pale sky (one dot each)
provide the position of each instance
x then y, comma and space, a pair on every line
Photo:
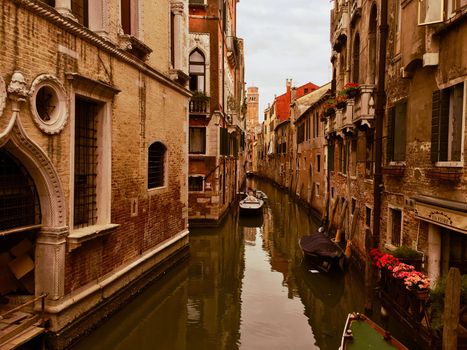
243, 287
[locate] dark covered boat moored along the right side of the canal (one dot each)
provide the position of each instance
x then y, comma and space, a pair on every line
323, 252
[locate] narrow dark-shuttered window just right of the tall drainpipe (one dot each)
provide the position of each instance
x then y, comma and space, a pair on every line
396, 132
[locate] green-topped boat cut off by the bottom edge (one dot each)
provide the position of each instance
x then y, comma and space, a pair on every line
362, 333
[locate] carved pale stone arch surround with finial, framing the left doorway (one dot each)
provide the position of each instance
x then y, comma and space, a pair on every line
50, 243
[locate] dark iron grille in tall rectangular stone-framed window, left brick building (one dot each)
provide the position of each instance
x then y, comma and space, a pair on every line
86, 152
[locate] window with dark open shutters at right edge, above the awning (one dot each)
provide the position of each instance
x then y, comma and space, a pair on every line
447, 124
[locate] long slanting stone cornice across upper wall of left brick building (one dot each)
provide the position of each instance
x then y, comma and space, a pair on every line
51, 15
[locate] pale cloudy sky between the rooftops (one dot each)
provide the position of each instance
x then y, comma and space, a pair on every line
284, 40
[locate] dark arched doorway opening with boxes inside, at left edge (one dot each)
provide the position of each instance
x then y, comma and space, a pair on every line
20, 221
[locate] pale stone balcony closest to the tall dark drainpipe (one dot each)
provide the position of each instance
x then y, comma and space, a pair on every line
362, 107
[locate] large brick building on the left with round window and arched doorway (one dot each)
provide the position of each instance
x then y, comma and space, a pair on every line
93, 152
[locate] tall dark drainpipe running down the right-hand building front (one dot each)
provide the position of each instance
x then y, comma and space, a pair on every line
379, 115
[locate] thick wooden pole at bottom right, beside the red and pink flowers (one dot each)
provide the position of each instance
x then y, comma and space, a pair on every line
452, 299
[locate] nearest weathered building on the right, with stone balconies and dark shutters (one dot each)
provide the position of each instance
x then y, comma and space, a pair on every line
423, 198
